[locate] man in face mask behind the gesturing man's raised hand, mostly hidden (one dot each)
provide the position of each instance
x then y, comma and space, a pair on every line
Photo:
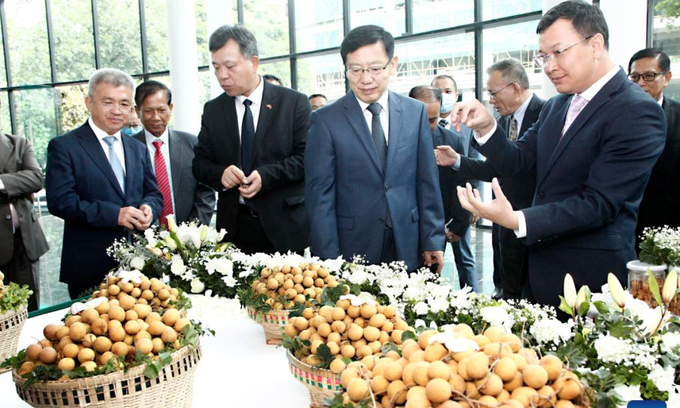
462, 252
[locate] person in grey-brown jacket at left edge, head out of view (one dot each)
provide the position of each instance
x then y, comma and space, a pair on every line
22, 241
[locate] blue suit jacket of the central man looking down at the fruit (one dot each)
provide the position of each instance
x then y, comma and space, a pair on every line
348, 194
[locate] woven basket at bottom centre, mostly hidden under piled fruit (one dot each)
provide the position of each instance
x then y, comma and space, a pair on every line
322, 384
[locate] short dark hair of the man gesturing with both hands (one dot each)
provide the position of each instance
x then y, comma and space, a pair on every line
587, 19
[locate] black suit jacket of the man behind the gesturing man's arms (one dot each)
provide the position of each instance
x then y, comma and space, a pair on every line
519, 189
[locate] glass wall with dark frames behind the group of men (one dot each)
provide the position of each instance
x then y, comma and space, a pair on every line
54, 45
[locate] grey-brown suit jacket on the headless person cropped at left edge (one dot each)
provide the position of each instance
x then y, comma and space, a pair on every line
21, 175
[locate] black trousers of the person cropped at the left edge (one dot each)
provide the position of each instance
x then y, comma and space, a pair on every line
22, 271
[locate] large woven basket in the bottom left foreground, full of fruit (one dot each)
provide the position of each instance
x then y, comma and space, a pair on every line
172, 388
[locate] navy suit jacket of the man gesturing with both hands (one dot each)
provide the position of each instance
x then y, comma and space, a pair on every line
589, 183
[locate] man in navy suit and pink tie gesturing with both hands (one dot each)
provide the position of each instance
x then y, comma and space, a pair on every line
592, 163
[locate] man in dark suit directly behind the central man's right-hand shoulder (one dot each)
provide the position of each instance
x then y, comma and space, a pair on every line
456, 217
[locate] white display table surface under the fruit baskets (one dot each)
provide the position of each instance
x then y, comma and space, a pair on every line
237, 368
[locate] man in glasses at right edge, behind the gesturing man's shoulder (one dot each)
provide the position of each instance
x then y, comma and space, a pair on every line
651, 69
